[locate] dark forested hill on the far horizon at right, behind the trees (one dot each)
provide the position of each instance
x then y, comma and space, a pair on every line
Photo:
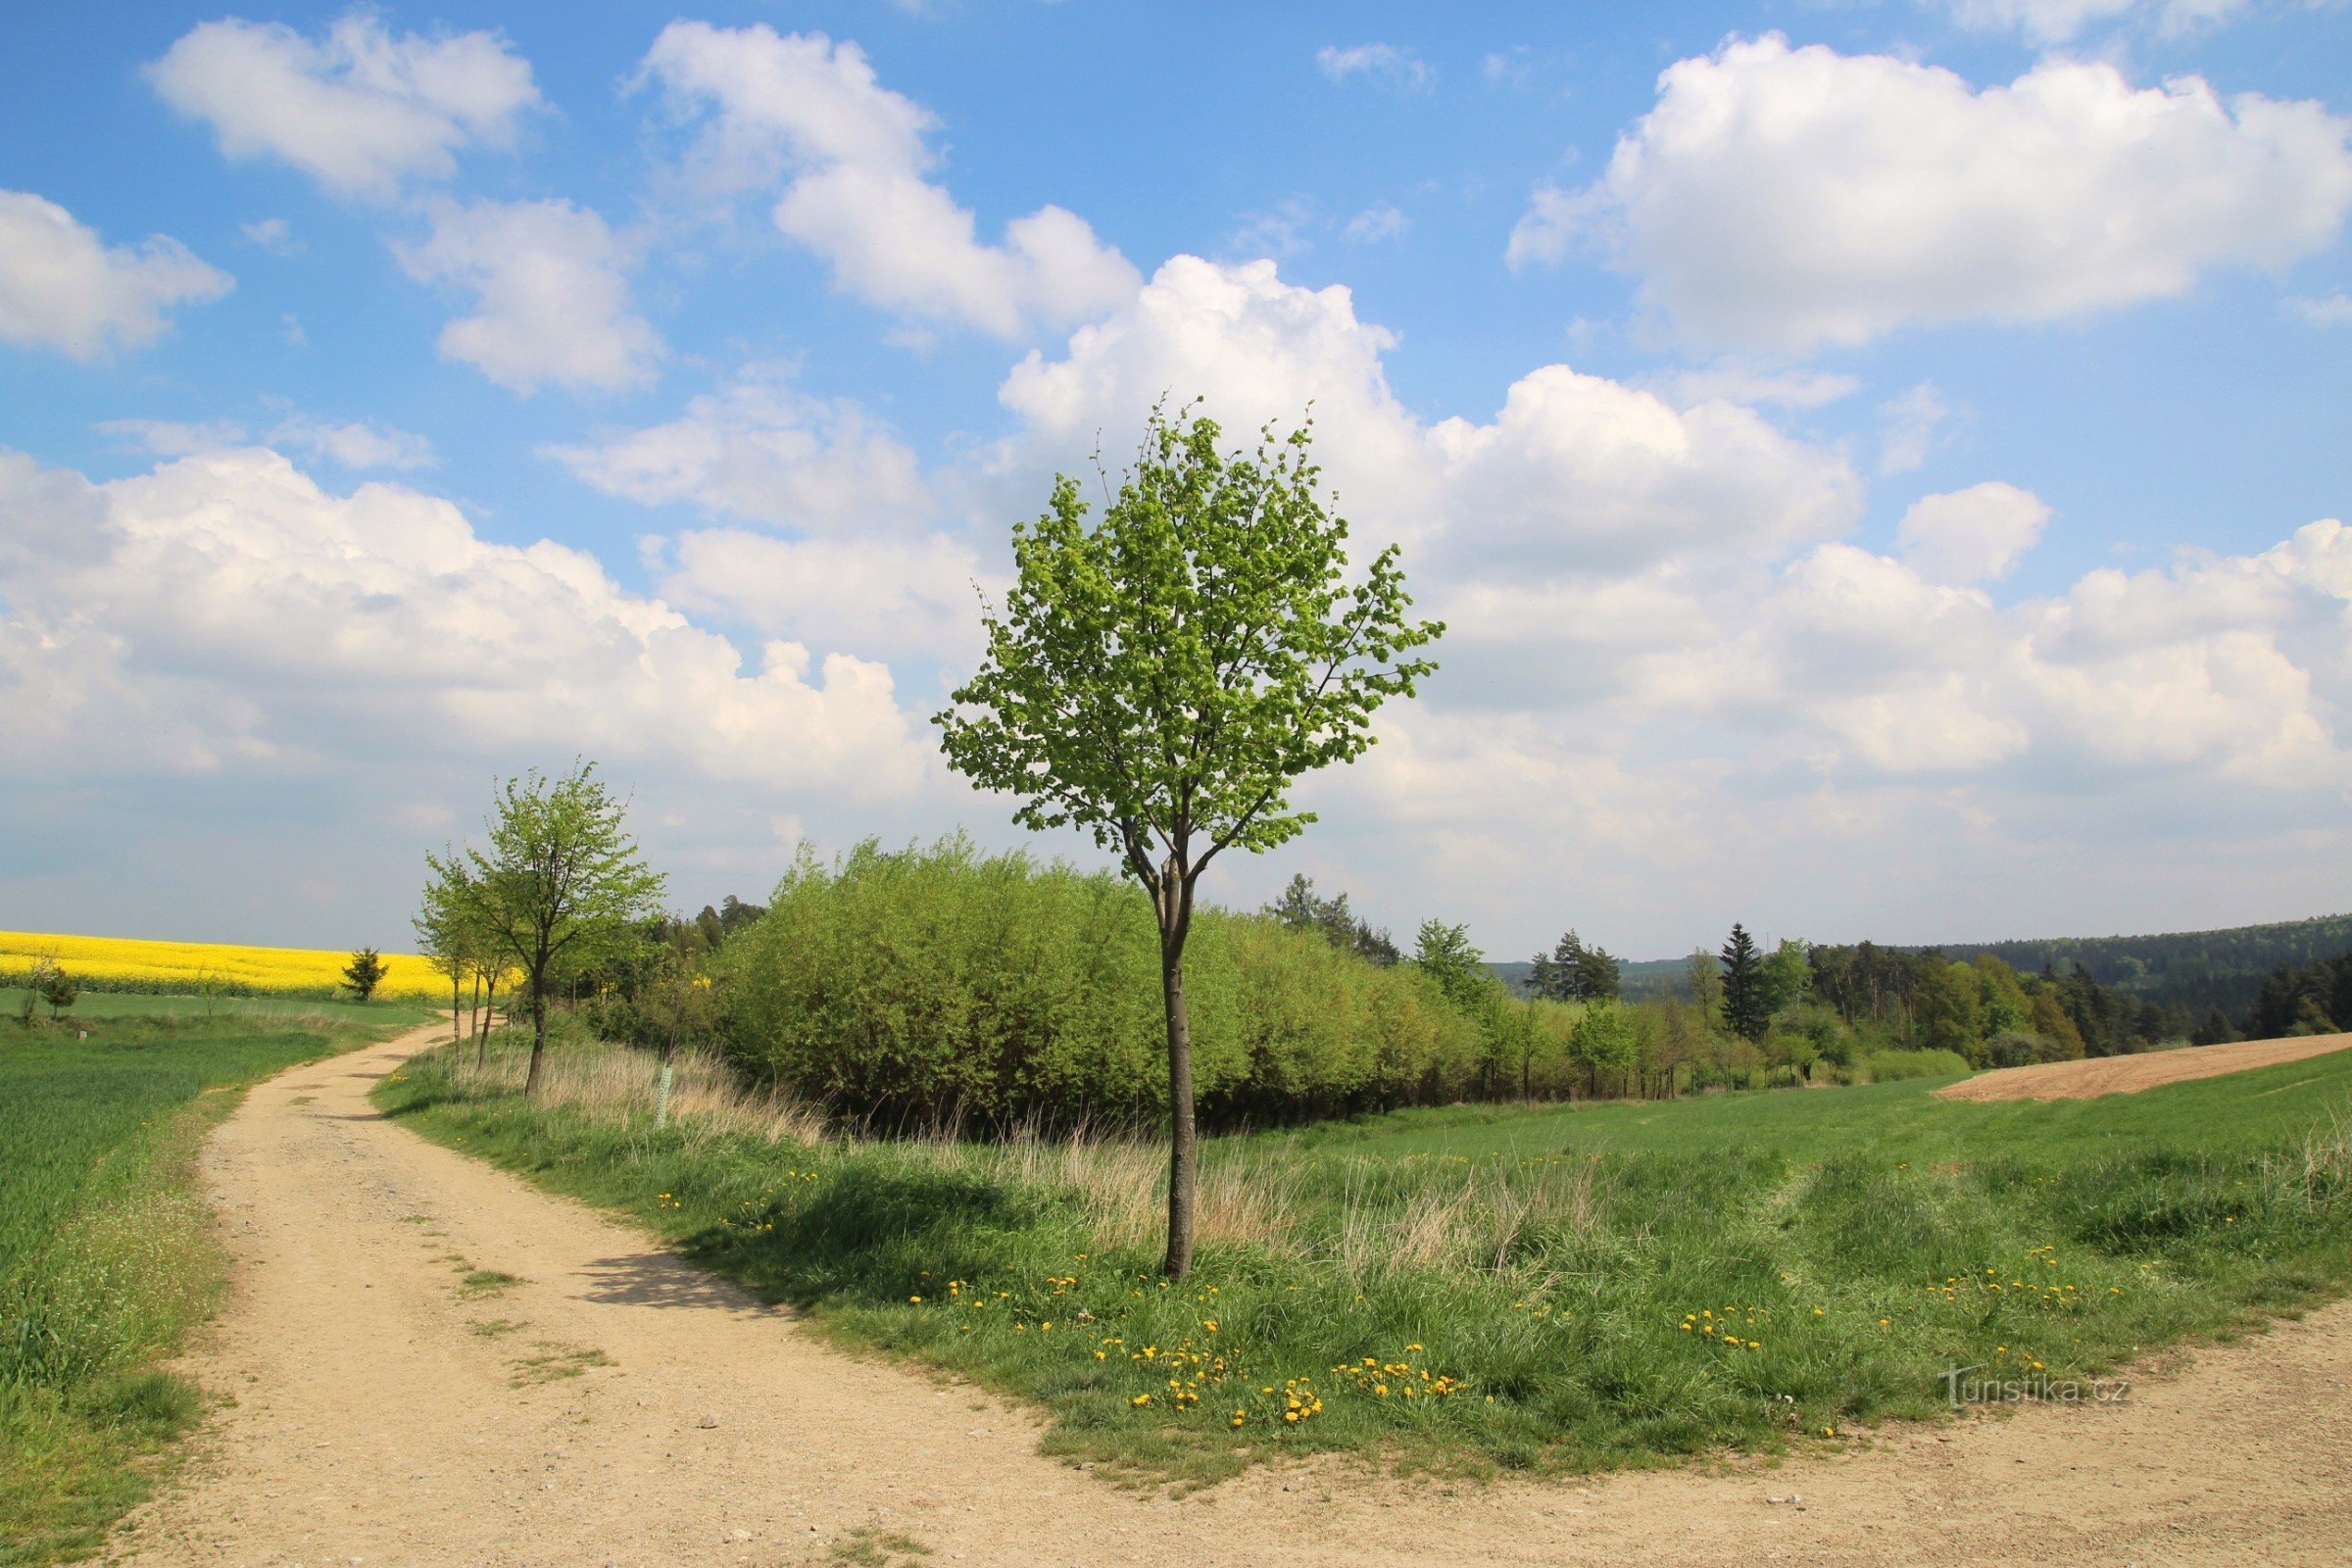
2193, 972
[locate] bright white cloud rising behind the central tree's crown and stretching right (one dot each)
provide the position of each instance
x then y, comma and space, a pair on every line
1572, 474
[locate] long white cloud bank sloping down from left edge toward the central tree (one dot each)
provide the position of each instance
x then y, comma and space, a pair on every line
225, 615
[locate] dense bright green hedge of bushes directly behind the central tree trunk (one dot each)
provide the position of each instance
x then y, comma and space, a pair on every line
944, 981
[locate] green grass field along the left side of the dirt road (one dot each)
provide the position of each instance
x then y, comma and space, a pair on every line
107, 1254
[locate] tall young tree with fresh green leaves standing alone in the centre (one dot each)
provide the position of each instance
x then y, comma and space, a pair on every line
1165, 676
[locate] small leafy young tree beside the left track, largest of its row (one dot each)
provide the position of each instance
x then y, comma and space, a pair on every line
559, 887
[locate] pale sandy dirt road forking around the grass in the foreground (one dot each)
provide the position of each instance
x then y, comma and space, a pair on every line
617, 1407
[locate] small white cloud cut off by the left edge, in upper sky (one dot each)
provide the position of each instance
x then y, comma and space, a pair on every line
65, 288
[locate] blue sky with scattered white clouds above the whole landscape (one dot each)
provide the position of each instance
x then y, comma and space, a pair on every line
1869, 453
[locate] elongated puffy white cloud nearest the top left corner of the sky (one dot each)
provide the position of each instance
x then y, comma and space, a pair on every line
356, 109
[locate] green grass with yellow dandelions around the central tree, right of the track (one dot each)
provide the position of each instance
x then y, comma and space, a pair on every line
1563, 1289
